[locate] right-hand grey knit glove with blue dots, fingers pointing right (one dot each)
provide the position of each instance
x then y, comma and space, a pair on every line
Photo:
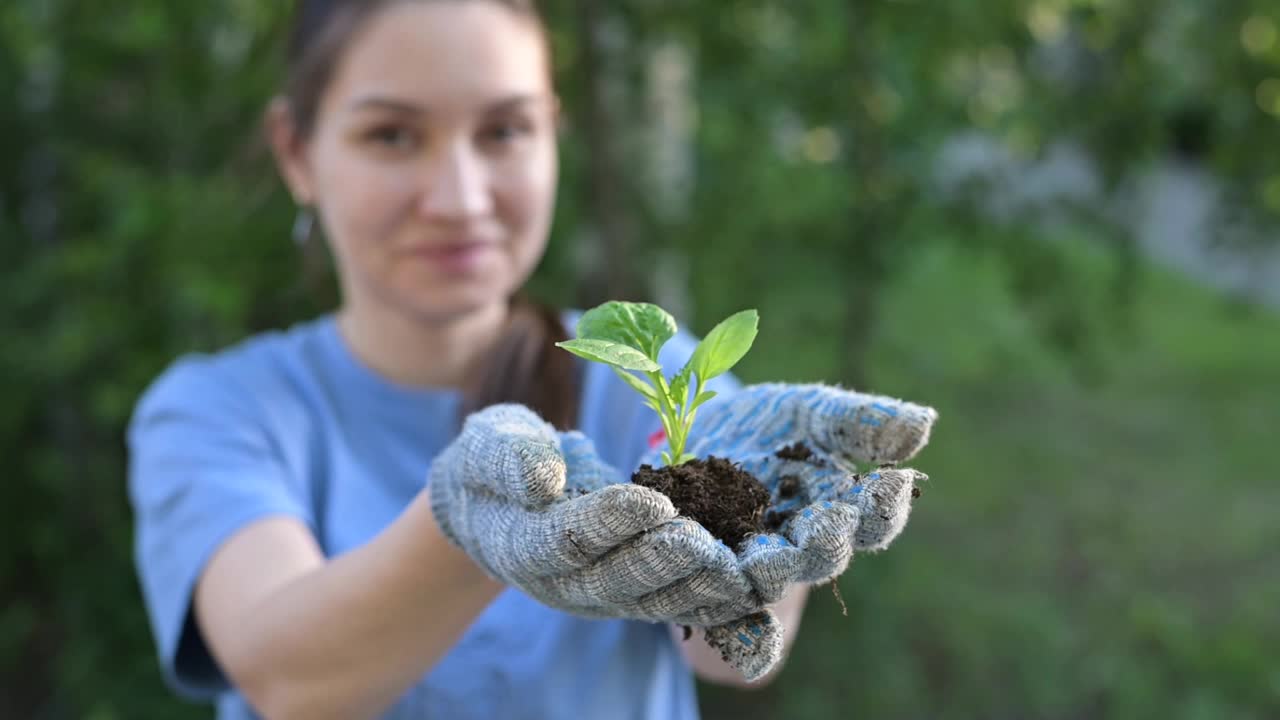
803, 444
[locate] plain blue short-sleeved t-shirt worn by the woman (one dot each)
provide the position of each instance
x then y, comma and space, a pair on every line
291, 423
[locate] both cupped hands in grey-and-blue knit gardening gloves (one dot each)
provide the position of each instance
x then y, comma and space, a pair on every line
540, 511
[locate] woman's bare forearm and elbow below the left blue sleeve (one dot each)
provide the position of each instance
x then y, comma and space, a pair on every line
304, 637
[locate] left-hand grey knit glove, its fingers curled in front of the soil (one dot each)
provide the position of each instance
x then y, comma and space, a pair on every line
541, 512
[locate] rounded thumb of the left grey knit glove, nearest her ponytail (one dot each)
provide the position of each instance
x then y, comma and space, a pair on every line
509, 450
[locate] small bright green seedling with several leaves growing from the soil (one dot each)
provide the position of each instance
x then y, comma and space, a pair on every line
628, 338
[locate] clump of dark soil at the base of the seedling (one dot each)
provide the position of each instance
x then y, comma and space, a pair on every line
721, 496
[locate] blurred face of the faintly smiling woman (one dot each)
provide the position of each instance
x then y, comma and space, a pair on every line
433, 158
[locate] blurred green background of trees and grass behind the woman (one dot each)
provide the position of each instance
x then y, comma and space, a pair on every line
1054, 221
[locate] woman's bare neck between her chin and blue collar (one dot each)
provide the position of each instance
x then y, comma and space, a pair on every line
420, 352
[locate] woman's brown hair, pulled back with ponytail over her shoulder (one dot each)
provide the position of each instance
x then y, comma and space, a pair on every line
525, 367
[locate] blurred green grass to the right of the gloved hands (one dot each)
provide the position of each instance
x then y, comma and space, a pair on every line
1089, 546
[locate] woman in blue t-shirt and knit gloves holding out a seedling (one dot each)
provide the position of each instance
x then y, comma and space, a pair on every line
417, 505
